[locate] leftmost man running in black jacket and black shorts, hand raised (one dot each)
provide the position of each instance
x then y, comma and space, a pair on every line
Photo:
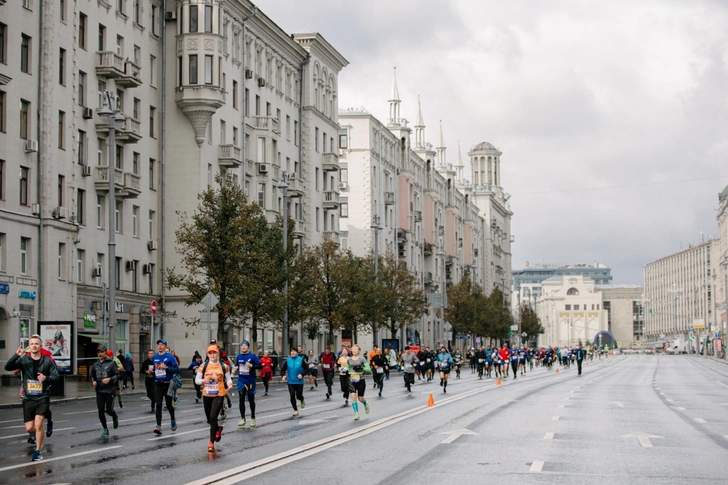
39, 372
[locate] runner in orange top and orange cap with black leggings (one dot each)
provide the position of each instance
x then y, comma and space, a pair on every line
214, 376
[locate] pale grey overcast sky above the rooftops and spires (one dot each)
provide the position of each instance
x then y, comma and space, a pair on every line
611, 116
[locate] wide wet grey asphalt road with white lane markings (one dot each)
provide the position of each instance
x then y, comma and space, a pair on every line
628, 419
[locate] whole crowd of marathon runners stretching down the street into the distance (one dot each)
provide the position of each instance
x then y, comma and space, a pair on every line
214, 372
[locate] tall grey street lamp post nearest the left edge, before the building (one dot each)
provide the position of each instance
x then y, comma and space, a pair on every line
110, 111
